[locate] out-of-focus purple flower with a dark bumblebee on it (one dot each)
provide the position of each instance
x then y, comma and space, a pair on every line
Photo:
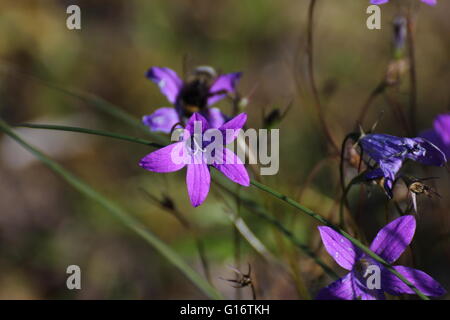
201, 90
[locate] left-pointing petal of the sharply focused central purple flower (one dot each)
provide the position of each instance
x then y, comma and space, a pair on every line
167, 159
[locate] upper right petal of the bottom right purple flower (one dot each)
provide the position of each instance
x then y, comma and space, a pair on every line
393, 239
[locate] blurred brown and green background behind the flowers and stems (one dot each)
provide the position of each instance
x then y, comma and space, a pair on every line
45, 225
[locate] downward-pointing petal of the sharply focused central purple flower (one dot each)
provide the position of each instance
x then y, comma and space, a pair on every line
198, 180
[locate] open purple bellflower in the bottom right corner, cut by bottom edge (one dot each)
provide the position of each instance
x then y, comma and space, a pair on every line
389, 244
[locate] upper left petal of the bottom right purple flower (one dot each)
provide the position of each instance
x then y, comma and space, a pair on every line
339, 248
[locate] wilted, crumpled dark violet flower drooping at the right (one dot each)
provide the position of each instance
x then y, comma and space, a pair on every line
389, 153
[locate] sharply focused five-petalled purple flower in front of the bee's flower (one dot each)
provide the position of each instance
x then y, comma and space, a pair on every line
193, 151
